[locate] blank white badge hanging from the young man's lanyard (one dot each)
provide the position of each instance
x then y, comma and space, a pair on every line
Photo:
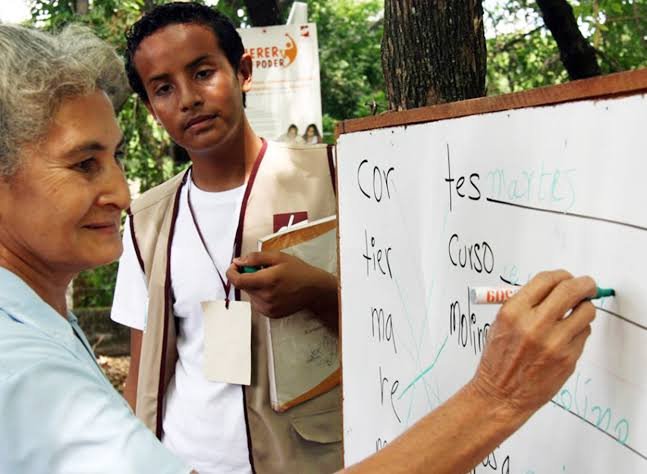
227, 341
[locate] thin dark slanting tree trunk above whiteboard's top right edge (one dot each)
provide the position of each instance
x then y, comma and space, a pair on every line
577, 55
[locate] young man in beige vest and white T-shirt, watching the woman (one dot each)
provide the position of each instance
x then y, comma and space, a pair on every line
187, 63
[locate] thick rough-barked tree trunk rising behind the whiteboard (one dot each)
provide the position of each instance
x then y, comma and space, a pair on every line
433, 51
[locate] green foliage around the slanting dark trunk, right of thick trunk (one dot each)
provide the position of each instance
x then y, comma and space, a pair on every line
522, 54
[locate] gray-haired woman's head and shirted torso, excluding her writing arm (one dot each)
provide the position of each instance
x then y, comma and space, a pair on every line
62, 191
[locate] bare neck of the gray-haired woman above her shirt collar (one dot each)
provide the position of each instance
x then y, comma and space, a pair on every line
49, 286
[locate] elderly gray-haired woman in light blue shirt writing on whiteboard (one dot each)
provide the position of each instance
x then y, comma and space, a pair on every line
62, 191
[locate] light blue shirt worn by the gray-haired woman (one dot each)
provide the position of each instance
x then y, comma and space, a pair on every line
58, 412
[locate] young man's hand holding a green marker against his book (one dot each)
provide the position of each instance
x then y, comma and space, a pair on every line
285, 285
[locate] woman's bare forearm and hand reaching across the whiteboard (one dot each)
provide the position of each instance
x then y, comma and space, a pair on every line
531, 350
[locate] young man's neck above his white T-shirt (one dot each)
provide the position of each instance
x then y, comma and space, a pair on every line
228, 166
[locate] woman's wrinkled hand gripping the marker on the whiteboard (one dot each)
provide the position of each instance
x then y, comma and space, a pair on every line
534, 344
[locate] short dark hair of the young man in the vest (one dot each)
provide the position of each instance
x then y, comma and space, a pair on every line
179, 13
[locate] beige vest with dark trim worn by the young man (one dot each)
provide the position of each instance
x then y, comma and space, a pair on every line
306, 438
